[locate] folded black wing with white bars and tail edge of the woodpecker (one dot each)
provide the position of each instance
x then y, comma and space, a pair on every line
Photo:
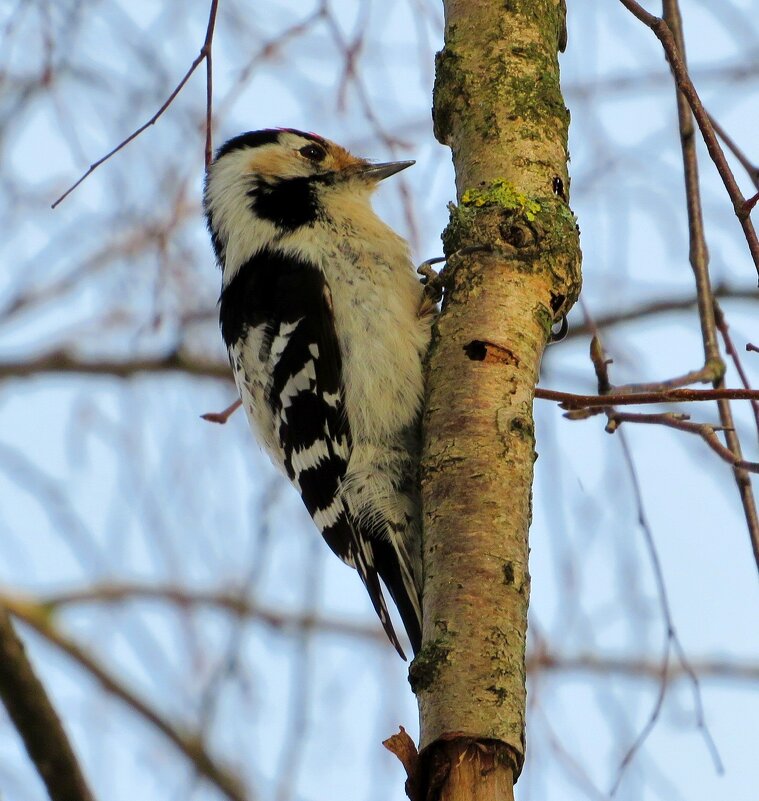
277, 322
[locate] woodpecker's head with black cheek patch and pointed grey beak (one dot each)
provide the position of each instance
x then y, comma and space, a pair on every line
268, 184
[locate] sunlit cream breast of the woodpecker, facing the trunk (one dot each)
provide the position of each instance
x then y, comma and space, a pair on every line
375, 296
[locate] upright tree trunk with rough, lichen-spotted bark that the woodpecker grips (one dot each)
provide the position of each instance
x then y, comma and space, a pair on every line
499, 107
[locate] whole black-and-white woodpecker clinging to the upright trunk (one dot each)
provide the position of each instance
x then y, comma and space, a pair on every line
326, 327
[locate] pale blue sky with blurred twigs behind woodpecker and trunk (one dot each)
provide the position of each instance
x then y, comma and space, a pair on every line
106, 480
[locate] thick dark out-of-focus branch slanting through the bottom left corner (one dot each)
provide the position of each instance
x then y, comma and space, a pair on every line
33, 715
